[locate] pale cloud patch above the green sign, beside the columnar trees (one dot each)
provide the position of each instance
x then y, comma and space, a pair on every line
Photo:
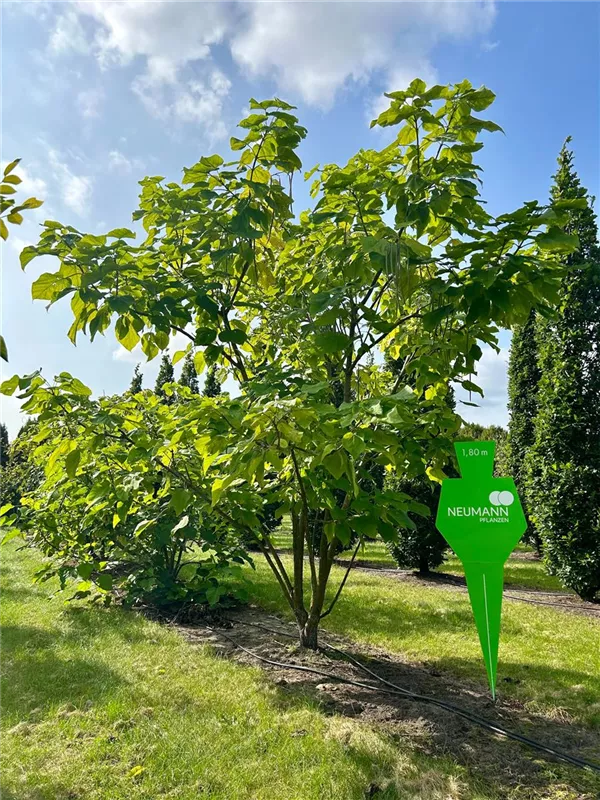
492, 376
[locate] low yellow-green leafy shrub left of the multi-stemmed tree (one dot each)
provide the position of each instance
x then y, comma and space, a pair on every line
111, 513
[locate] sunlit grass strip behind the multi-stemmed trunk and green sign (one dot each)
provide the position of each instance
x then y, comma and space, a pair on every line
552, 658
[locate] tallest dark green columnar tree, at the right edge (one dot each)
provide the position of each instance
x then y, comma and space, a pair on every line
563, 466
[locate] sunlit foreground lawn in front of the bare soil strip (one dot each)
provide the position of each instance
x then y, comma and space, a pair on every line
106, 705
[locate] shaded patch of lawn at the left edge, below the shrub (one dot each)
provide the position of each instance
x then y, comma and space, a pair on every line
34, 675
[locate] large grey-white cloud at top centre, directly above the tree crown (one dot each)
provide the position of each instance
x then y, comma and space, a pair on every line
315, 49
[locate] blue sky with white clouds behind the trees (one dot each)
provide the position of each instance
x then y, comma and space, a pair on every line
98, 94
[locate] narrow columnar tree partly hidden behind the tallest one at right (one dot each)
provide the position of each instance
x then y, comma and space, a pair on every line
523, 387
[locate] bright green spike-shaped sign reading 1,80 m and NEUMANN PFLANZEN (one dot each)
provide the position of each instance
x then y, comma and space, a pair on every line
482, 520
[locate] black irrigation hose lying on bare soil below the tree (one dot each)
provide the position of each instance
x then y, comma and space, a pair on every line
399, 690
